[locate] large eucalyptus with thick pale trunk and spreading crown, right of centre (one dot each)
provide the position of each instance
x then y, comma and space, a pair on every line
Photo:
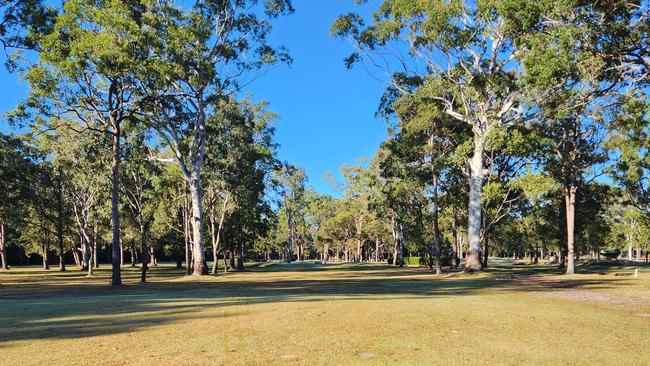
466, 60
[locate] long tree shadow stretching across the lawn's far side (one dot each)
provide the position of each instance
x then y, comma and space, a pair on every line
80, 307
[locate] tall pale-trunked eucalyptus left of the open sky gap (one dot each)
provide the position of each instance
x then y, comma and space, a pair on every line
208, 51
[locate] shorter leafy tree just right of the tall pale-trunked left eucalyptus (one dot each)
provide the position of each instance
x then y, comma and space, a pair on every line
237, 169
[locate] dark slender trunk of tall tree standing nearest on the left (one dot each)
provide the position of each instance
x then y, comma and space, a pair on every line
116, 270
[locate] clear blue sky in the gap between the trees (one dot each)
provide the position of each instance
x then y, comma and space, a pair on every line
326, 111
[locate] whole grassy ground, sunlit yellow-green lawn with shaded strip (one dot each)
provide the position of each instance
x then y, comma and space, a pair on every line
307, 313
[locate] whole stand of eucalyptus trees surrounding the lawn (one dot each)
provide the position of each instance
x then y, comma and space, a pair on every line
516, 128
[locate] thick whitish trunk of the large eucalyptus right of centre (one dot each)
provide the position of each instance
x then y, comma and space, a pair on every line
473, 258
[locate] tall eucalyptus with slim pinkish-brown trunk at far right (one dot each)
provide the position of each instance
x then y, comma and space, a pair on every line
580, 57
